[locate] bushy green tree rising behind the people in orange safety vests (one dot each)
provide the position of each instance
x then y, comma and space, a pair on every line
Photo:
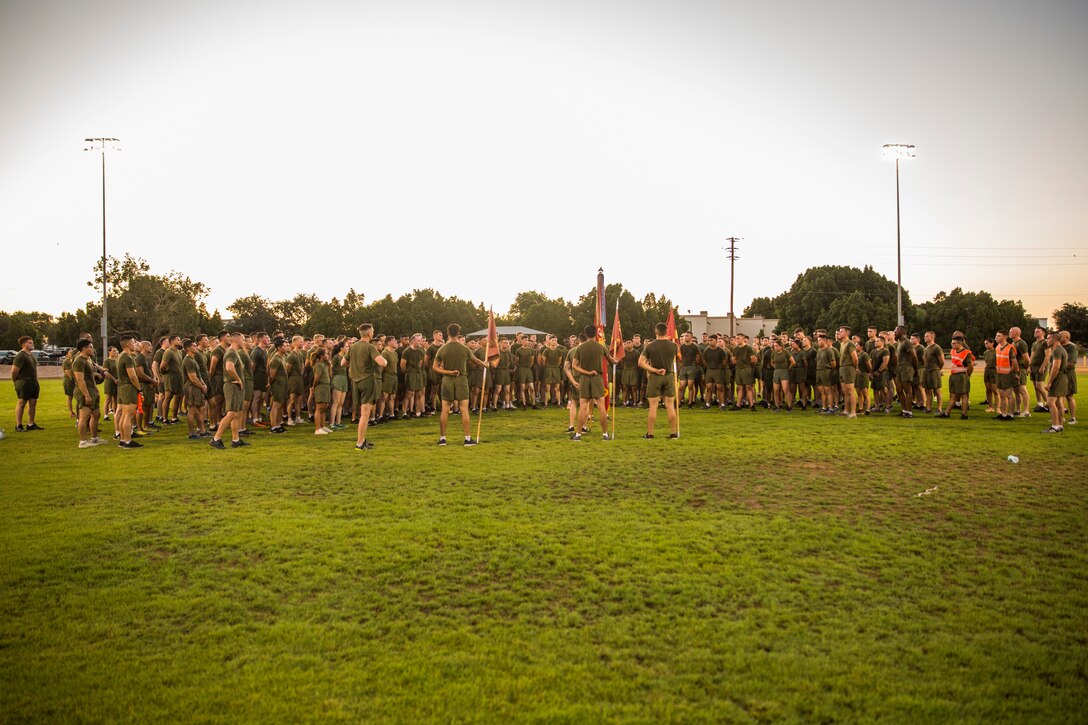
976, 314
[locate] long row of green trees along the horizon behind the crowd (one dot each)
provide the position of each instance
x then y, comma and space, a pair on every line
153, 305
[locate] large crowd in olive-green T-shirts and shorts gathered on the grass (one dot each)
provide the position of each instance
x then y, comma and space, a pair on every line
228, 387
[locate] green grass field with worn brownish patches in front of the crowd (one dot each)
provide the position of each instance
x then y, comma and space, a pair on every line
764, 568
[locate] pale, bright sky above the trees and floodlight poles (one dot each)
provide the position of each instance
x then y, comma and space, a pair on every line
485, 149
